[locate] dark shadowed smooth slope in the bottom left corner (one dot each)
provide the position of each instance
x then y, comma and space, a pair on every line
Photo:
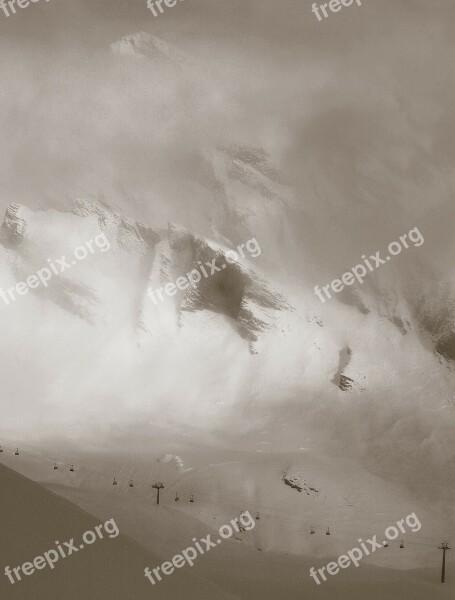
113, 567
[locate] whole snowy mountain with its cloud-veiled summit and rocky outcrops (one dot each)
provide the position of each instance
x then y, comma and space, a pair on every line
247, 349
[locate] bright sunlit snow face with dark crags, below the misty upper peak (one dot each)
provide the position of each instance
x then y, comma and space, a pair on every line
237, 344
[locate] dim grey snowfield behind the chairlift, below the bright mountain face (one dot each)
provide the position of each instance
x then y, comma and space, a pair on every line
291, 494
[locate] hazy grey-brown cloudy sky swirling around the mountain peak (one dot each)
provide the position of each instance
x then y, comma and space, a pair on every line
352, 108
